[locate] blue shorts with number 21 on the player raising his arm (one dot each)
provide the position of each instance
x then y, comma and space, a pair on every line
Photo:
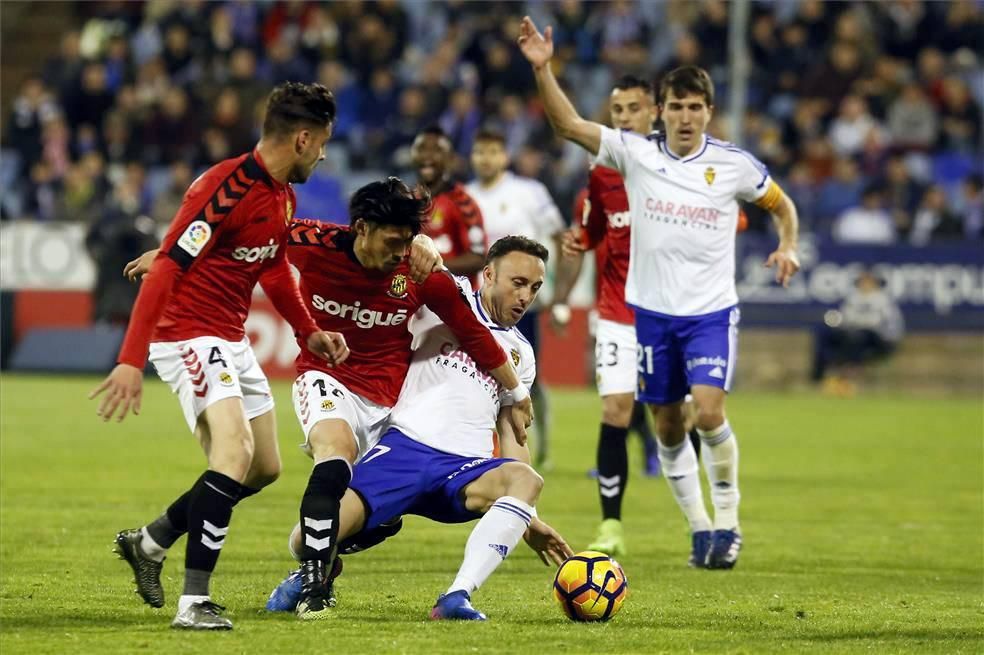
677, 352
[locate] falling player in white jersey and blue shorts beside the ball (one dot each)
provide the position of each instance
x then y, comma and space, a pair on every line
441, 464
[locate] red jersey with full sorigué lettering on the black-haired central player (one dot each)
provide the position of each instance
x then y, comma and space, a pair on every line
373, 308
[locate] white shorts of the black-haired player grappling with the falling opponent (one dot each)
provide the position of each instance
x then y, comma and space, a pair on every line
319, 397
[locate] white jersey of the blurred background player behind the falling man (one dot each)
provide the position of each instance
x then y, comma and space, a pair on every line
517, 205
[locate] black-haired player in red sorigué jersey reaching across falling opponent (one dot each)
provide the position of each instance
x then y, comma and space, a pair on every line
356, 281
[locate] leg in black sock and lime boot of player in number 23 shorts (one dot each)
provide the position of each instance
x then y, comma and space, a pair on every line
613, 471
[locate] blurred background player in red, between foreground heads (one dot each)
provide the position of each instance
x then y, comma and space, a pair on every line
455, 223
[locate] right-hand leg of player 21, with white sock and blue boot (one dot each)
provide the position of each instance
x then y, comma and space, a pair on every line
721, 464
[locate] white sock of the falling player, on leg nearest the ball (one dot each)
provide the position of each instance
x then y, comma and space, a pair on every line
496, 534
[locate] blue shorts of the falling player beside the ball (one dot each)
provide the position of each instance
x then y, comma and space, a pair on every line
401, 476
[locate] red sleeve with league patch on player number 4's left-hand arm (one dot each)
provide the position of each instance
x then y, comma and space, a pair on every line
207, 206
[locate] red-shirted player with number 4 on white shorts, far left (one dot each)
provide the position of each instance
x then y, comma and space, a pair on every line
229, 234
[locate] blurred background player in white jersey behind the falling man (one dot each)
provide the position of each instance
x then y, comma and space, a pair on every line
515, 205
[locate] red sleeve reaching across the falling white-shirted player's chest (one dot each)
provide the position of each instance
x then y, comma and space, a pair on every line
442, 296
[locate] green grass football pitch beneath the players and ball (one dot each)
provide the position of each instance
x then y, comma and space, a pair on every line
862, 522
